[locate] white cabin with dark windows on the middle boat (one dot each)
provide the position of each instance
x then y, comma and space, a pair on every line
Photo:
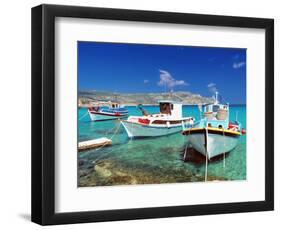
174, 109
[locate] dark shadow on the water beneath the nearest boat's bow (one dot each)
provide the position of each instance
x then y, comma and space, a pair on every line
194, 157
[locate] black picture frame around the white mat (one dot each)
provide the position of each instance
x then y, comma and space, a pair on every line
43, 114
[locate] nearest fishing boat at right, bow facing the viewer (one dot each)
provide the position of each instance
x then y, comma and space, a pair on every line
214, 134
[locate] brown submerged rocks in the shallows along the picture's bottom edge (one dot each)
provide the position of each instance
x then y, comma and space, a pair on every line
109, 172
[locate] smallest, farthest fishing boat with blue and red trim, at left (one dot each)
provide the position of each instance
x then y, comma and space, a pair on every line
111, 111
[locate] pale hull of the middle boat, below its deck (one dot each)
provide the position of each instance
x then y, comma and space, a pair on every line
136, 130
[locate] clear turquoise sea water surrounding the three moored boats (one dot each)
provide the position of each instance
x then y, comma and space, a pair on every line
152, 160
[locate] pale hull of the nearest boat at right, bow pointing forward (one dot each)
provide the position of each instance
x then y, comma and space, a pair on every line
212, 144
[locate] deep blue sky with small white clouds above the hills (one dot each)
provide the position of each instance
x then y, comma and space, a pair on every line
139, 68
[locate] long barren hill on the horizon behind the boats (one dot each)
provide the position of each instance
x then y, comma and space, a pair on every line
88, 96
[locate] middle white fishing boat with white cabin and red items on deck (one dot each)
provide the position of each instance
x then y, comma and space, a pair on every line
168, 121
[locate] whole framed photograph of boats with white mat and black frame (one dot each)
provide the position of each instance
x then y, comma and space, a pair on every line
141, 114
